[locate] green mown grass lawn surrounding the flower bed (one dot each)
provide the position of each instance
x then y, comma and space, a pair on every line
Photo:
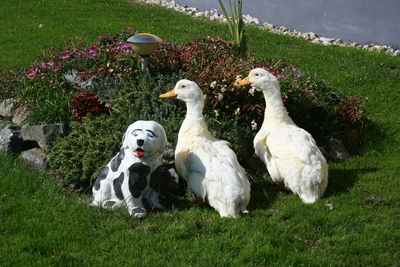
43, 224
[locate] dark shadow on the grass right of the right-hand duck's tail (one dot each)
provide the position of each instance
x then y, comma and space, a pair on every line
342, 181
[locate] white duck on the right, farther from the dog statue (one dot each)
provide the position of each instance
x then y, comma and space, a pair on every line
289, 152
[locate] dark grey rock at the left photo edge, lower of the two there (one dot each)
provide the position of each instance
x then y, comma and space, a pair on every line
10, 139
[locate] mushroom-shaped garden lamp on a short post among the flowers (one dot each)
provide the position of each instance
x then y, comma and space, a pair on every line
144, 44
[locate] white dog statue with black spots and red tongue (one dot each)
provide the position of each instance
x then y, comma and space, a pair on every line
132, 174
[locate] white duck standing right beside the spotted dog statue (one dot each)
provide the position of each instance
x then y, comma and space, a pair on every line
208, 165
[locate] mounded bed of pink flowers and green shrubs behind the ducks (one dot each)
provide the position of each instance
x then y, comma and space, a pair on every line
98, 90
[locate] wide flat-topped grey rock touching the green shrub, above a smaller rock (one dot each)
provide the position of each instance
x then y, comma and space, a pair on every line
44, 134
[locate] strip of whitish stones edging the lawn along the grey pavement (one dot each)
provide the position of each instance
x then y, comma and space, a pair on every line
309, 36
